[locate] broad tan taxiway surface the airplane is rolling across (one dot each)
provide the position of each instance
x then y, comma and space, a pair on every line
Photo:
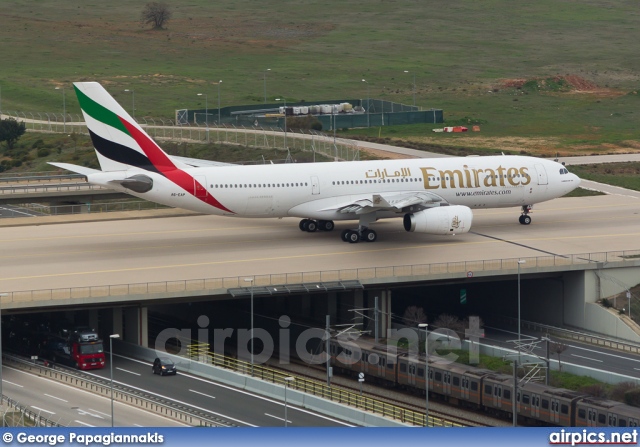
72, 254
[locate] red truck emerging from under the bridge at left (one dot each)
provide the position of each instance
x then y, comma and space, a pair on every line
82, 350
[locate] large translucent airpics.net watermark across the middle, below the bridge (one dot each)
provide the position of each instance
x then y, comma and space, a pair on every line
308, 345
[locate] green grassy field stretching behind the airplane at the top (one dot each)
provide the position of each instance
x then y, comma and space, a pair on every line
461, 53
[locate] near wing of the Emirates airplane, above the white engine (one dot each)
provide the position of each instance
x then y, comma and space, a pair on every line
387, 202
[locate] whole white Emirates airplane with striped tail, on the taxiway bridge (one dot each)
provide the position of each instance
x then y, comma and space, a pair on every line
433, 196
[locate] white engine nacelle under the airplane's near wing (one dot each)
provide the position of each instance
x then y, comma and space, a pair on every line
454, 219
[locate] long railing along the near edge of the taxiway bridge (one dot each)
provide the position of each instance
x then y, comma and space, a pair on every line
467, 268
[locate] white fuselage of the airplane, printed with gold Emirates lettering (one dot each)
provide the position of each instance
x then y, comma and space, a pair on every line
317, 190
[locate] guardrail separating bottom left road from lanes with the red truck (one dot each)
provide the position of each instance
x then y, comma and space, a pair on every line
120, 394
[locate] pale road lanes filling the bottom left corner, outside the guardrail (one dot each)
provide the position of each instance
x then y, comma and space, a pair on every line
73, 407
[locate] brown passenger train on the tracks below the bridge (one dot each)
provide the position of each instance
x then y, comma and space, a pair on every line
478, 388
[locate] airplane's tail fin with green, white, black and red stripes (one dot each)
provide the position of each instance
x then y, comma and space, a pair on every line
119, 141
